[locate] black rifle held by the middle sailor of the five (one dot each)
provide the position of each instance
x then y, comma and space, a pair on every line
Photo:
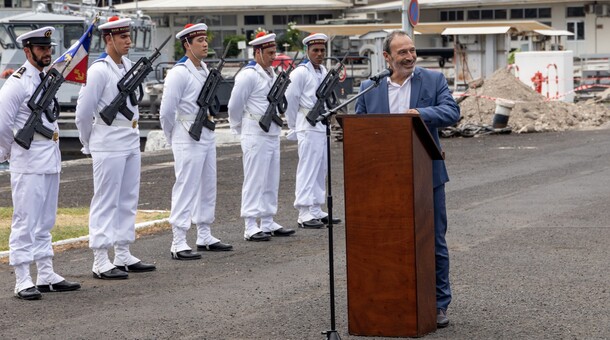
205, 99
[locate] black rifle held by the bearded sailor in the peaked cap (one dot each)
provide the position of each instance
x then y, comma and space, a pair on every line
50, 85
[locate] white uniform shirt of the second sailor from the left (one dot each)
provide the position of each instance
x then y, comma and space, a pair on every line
101, 88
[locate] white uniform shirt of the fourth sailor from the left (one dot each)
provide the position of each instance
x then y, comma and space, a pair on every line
249, 102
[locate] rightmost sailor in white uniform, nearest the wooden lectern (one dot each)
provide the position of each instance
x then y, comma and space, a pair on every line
310, 189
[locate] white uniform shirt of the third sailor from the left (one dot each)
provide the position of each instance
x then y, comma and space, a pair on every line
180, 91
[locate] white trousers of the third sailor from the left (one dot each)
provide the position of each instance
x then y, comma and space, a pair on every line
194, 192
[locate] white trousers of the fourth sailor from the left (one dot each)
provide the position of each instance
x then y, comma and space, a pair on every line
261, 161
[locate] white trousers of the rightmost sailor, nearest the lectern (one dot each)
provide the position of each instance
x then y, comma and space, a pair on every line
310, 189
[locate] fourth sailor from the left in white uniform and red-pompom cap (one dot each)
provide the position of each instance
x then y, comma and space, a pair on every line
261, 150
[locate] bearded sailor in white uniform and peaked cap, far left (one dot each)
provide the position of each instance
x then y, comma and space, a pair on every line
34, 173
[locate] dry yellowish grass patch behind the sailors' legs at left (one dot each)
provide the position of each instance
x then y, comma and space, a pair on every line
70, 223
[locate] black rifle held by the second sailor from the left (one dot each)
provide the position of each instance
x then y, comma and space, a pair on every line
131, 81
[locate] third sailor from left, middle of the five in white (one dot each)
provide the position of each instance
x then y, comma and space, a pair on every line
194, 193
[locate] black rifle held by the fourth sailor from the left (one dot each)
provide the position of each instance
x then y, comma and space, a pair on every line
277, 100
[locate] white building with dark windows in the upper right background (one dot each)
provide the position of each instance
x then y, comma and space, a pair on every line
588, 20
